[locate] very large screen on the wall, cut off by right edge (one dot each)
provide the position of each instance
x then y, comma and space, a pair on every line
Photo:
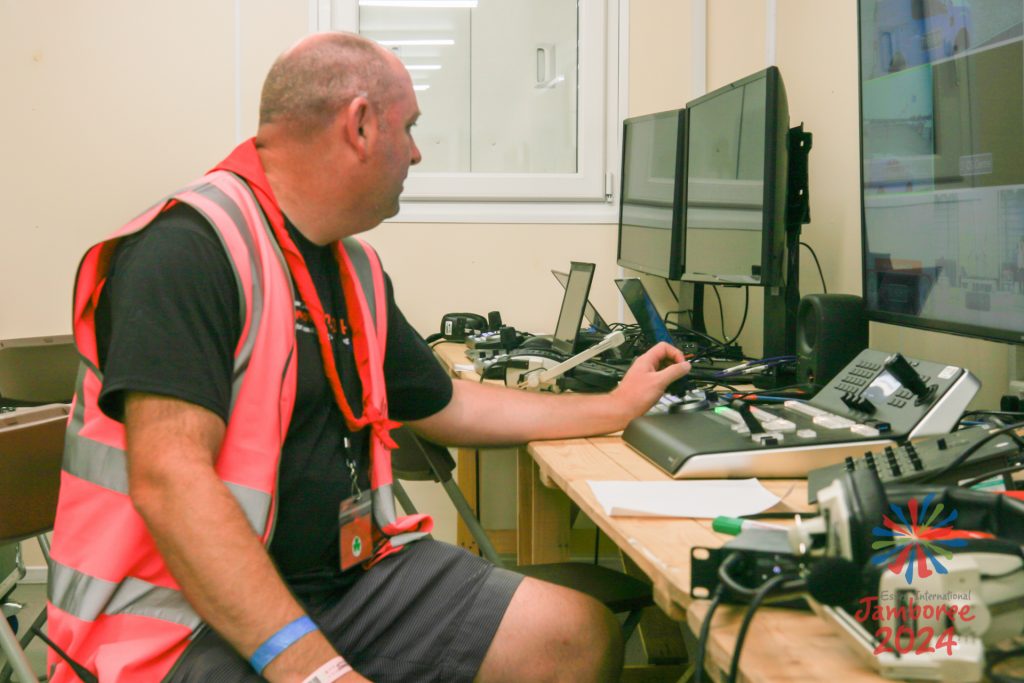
943, 165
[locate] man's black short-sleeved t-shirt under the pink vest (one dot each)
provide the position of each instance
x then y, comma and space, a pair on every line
168, 322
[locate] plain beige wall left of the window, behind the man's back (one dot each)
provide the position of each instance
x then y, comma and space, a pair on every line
108, 106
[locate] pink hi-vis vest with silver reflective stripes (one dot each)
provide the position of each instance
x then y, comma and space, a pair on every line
114, 608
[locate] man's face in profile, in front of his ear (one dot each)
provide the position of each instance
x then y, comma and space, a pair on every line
397, 150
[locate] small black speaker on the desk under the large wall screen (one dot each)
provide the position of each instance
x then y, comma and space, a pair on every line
832, 329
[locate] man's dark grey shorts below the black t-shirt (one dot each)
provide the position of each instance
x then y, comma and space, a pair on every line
428, 614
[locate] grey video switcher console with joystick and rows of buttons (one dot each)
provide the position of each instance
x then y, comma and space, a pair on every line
878, 399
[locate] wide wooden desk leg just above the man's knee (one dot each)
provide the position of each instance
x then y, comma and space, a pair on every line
543, 518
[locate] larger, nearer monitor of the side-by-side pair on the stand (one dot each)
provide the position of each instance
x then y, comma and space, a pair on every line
737, 174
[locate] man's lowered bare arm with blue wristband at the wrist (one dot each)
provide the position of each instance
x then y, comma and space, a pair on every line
203, 535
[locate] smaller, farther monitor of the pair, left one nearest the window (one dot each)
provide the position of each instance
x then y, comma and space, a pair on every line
650, 210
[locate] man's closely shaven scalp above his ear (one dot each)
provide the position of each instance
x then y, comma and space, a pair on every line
314, 80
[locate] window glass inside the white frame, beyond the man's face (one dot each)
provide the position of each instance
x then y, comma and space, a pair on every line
497, 83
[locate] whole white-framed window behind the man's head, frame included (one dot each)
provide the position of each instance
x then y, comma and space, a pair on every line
518, 98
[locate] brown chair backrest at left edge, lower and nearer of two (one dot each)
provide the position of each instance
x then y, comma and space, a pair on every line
31, 452
